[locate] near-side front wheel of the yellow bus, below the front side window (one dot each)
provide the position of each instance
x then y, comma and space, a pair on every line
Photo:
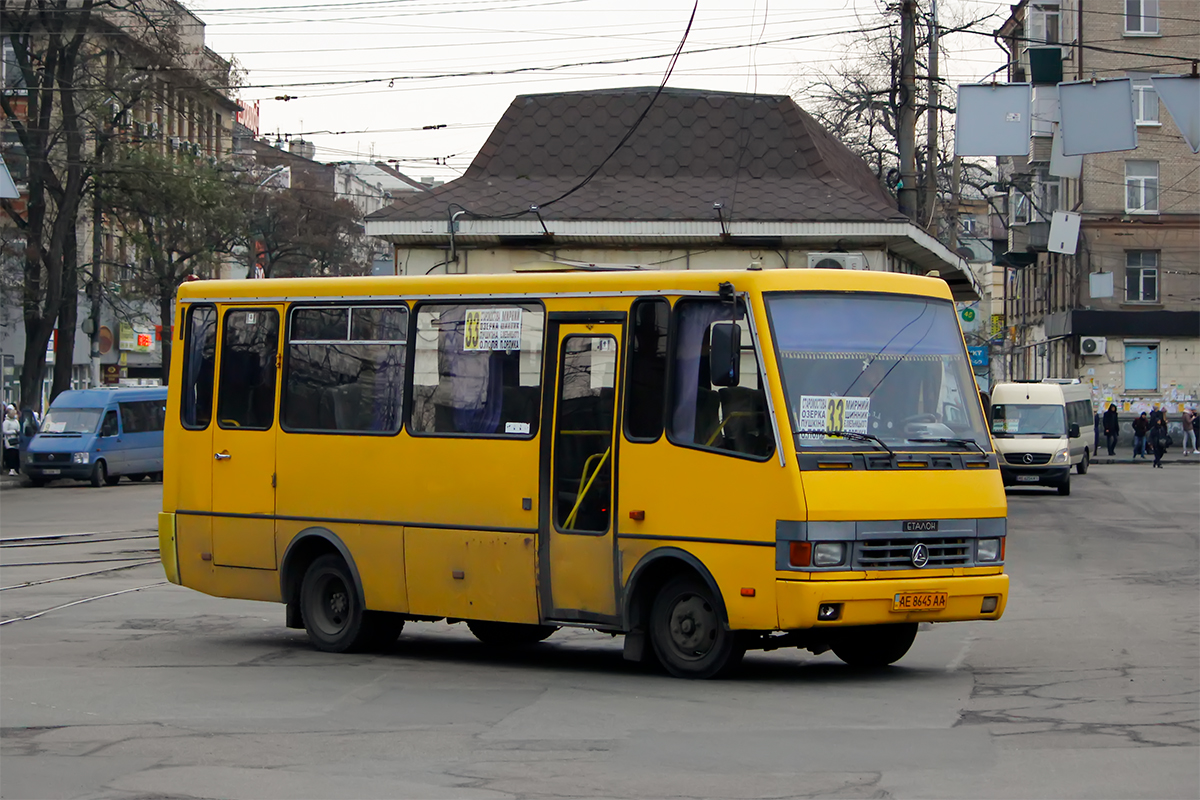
688, 633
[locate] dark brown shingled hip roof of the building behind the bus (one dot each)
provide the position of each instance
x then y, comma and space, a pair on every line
761, 157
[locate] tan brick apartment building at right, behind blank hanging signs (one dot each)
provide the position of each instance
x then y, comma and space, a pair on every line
1123, 314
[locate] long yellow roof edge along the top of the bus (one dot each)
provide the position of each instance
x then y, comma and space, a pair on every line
548, 284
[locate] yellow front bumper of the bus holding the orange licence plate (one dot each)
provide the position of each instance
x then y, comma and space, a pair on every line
873, 603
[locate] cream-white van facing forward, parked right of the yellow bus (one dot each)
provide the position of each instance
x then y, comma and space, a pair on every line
1039, 430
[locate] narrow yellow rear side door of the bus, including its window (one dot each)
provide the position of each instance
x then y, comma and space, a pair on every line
244, 438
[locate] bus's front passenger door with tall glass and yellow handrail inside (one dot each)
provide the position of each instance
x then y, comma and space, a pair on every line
578, 578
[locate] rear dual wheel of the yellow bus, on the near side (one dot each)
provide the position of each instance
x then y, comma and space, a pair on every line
333, 615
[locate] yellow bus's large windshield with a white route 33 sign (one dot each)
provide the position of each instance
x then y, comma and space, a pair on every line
884, 369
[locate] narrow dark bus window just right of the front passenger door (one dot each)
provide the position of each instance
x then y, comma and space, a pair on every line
646, 382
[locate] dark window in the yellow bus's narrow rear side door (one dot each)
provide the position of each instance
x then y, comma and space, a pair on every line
247, 389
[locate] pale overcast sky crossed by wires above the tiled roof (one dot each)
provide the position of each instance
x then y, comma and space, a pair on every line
368, 76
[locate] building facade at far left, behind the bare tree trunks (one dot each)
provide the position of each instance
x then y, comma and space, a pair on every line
159, 88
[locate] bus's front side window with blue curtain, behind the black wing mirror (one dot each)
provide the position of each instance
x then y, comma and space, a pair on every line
731, 419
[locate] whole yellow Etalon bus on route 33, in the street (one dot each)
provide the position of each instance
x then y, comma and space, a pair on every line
704, 462
